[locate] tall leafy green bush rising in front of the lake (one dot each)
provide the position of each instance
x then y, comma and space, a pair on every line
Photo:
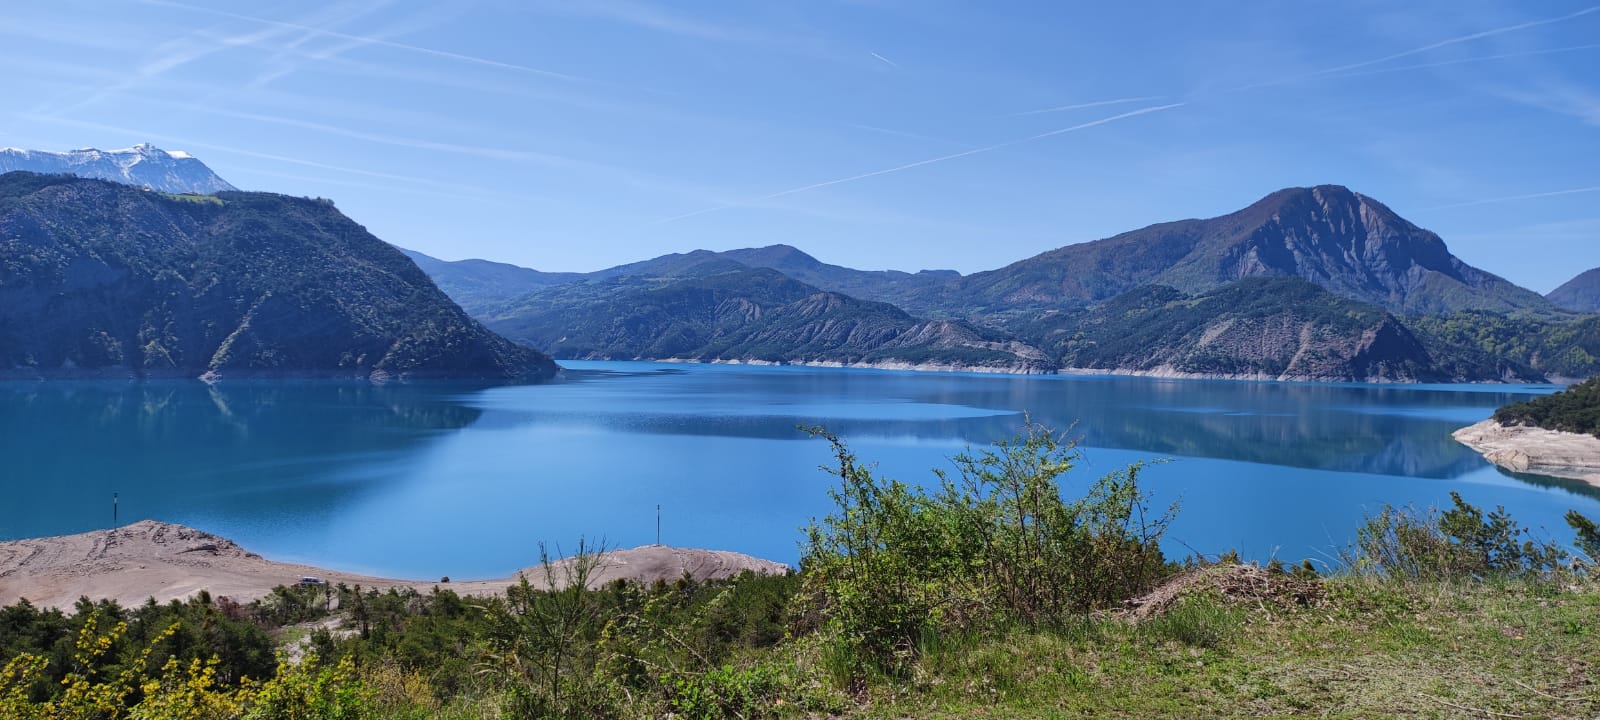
894, 566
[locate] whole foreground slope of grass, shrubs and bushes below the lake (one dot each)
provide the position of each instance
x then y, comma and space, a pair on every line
982, 596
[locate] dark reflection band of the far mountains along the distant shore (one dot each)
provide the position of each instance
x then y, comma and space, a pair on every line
1372, 430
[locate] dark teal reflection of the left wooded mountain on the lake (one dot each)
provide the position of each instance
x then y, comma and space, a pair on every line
182, 450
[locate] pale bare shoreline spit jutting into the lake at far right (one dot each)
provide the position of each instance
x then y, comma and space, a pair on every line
1535, 450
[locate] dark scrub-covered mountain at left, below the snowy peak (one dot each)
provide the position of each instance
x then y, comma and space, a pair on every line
100, 279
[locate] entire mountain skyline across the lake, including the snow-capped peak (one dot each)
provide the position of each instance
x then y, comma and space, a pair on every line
1306, 284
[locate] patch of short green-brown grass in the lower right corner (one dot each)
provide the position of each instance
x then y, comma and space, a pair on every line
1375, 649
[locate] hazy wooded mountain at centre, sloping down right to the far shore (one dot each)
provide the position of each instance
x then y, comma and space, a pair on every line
718, 310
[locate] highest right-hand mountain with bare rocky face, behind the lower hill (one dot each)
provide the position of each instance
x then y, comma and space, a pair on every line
1342, 241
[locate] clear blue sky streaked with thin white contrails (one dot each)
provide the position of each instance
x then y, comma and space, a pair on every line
873, 134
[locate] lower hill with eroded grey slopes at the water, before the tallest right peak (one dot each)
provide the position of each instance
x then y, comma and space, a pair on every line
1255, 329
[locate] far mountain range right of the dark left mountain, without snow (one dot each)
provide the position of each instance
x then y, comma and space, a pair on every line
1306, 284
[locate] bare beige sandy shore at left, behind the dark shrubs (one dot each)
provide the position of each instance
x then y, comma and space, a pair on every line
162, 561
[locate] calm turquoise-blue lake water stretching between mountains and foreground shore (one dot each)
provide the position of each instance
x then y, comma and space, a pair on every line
423, 481
